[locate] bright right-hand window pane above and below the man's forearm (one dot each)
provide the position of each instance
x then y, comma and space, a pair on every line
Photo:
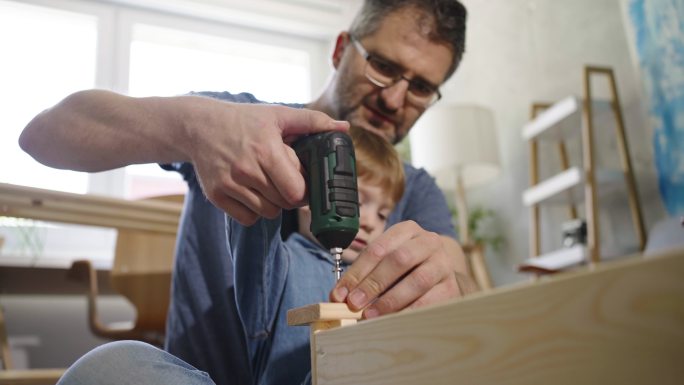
169, 61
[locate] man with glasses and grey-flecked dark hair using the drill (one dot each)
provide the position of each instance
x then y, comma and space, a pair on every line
388, 67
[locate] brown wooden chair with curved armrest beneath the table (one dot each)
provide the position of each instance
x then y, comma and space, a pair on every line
141, 272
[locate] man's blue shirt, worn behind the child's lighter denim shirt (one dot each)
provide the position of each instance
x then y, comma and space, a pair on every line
203, 325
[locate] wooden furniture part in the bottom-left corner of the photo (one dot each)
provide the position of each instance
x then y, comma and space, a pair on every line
11, 376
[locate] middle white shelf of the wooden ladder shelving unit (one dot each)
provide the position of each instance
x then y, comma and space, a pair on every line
567, 187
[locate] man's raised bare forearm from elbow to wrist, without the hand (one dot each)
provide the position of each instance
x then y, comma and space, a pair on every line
99, 130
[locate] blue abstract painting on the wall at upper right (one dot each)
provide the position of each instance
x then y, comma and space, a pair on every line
659, 30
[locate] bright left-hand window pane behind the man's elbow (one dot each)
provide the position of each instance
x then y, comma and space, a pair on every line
46, 54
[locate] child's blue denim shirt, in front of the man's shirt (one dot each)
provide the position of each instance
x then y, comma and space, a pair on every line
271, 277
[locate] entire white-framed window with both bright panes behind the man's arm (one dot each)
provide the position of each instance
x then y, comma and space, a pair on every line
52, 48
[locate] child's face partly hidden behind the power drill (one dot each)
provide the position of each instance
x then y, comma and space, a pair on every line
374, 208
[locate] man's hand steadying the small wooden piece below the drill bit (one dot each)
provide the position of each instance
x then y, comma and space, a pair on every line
406, 267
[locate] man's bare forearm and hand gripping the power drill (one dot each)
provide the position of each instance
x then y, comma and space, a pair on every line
240, 151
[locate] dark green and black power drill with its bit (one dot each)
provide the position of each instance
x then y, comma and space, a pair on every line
330, 165
